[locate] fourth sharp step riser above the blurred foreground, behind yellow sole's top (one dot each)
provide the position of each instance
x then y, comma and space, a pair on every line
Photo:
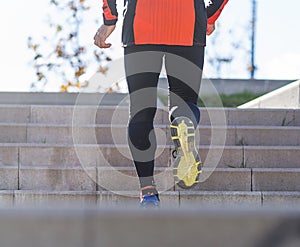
62, 134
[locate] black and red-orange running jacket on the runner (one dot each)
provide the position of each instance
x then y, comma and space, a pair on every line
169, 22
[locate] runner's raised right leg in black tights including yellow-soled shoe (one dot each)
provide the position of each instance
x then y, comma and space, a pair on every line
184, 69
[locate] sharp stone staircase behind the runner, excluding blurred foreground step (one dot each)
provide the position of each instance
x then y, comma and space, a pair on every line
40, 165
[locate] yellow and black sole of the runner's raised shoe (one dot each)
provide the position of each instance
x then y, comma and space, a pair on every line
187, 166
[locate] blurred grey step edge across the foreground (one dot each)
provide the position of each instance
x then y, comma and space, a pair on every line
135, 228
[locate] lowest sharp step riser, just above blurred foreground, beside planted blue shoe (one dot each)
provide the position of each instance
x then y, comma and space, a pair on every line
169, 200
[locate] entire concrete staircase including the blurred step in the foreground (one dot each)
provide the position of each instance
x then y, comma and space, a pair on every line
86, 194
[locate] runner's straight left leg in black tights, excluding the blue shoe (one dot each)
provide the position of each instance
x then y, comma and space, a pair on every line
142, 73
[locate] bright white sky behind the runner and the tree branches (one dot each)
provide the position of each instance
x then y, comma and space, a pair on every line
277, 53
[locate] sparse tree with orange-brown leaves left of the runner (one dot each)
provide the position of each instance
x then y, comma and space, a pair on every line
61, 53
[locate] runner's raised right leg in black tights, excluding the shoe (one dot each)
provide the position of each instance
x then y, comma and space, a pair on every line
184, 80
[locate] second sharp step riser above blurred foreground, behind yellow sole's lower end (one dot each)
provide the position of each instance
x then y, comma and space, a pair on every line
126, 180
